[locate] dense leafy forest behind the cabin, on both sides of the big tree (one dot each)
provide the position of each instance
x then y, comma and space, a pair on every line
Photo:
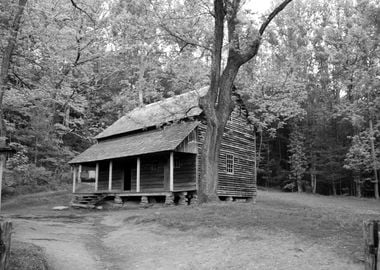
313, 91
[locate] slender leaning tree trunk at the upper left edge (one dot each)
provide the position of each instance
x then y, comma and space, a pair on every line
6, 61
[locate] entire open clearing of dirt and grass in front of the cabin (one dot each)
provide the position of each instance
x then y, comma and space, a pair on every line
282, 231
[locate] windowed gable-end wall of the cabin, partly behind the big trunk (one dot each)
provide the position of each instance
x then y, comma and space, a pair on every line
238, 141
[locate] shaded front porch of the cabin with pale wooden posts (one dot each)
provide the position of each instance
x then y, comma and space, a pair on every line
157, 174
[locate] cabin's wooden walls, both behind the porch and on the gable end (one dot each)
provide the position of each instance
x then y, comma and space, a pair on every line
237, 140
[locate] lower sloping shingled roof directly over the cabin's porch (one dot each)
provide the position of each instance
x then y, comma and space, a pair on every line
158, 140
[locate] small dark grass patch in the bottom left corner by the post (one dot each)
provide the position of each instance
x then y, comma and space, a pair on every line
26, 256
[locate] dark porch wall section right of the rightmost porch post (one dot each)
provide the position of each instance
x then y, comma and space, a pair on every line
184, 177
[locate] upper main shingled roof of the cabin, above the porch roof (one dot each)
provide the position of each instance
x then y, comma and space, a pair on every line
155, 114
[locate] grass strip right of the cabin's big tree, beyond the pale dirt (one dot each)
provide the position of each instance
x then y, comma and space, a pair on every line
327, 224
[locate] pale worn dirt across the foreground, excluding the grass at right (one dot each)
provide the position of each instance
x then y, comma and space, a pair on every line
138, 239
